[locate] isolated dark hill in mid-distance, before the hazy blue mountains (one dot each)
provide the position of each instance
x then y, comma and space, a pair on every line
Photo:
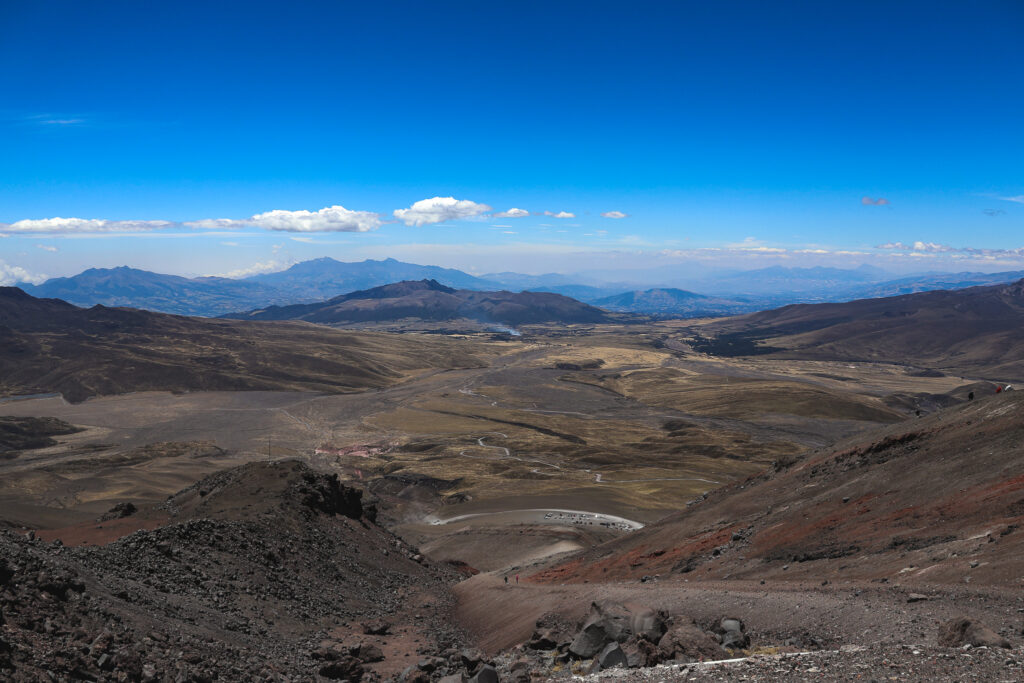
430, 301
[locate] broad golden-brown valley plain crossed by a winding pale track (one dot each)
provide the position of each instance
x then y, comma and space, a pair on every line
649, 425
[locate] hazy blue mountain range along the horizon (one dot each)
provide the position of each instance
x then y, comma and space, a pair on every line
665, 291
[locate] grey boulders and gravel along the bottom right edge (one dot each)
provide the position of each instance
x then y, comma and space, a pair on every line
617, 643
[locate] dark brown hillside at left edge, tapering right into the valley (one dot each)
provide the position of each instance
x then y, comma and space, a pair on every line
49, 346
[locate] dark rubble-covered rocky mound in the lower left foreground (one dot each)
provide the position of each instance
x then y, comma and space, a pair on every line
259, 566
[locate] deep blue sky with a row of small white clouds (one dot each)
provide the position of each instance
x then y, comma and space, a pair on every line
736, 135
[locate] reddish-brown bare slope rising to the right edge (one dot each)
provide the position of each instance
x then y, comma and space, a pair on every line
935, 500
